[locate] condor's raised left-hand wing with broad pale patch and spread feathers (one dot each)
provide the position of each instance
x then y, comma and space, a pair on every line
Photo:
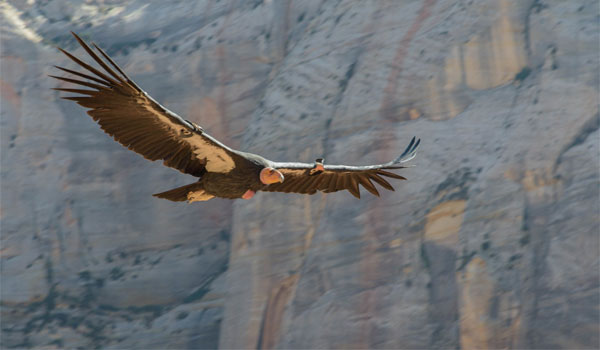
138, 122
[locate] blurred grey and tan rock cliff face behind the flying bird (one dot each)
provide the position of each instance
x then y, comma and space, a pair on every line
492, 243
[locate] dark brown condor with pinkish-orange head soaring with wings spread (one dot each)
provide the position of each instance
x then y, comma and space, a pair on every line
135, 120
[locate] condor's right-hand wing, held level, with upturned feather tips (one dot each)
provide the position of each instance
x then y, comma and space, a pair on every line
308, 178
